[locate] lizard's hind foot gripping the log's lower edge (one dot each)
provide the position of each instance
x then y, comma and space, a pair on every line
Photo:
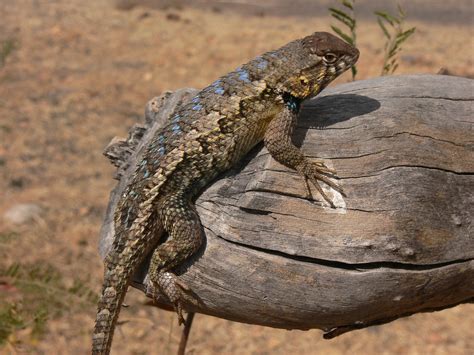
176, 291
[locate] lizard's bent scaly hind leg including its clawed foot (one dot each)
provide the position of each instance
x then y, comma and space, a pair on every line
183, 225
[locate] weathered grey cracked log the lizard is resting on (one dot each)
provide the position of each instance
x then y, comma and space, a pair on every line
401, 242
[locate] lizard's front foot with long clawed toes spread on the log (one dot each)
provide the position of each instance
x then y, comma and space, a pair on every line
316, 171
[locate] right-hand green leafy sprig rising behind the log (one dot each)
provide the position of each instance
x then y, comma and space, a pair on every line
394, 38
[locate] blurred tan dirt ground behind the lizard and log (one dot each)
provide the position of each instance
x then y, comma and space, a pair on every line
74, 74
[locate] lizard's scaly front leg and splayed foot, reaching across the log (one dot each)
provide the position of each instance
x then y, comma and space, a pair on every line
278, 142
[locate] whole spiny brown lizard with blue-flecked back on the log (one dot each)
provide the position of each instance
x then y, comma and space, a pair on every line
259, 101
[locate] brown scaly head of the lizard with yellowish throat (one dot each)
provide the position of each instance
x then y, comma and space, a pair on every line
324, 57
